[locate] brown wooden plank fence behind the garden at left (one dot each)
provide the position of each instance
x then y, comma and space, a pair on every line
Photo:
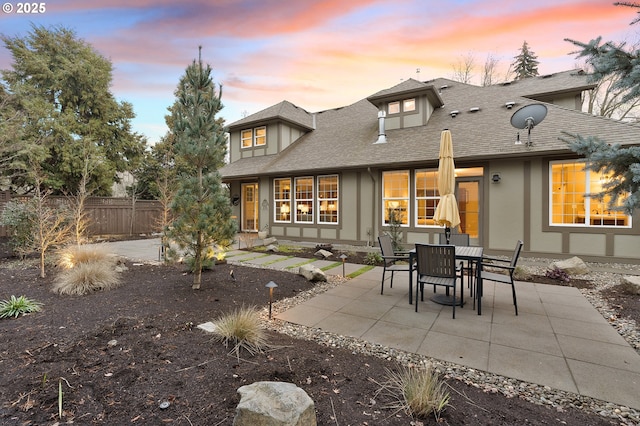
111, 216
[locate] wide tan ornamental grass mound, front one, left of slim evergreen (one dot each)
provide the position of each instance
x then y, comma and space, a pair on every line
87, 277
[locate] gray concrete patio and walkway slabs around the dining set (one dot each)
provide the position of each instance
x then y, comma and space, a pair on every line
558, 339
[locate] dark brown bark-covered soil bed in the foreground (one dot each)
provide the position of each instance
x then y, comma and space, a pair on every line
119, 354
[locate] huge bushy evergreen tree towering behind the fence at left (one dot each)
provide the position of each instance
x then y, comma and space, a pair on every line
60, 86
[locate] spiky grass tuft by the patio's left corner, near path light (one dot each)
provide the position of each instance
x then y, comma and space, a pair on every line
242, 329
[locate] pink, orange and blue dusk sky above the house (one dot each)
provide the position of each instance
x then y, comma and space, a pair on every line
317, 54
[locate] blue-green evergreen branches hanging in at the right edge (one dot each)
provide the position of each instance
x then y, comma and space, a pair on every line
611, 59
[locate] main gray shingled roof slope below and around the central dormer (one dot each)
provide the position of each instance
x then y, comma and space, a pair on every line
345, 138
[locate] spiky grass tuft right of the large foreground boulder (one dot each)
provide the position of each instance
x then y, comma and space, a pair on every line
417, 391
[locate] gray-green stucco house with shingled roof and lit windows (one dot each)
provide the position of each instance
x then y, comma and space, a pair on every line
333, 175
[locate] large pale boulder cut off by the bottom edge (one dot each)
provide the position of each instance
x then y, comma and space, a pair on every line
274, 404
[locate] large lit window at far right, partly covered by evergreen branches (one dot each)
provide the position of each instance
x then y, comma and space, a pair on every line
572, 202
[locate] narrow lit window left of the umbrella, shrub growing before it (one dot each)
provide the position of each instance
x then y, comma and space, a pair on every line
395, 196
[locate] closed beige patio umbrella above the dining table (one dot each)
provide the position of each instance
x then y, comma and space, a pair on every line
446, 213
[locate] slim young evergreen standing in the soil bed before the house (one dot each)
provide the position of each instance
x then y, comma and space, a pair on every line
201, 207
